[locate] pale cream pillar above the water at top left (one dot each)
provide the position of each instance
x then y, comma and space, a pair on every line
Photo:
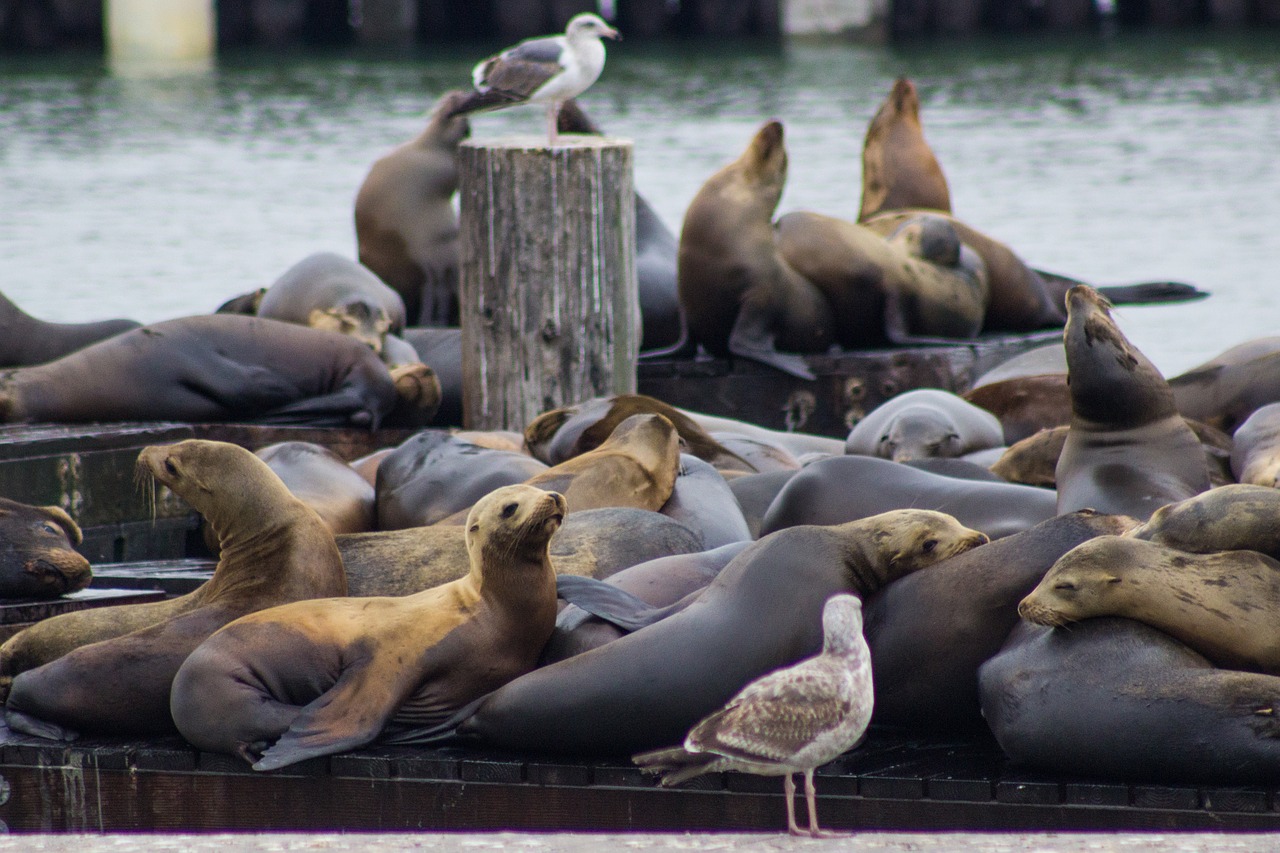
143, 34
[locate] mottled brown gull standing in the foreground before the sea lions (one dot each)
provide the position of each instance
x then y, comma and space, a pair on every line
792, 720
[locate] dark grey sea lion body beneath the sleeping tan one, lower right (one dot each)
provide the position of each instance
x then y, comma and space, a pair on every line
1113, 699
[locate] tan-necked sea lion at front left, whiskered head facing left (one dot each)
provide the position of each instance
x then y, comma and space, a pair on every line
100, 677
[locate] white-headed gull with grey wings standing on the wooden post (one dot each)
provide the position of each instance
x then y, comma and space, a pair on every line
547, 71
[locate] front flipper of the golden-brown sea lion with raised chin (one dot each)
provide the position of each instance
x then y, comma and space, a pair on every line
349, 715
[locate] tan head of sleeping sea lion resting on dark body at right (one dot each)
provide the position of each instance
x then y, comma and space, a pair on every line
1085, 582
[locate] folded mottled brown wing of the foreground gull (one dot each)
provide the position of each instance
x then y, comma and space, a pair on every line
776, 717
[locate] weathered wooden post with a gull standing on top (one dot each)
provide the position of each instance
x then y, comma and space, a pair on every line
548, 285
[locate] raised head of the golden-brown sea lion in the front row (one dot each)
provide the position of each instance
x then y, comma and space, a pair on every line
514, 524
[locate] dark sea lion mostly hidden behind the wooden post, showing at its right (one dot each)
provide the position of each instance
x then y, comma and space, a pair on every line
664, 325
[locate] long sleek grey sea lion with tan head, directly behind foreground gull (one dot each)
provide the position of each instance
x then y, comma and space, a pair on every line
648, 688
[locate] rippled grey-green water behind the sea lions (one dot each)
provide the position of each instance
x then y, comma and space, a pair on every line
1131, 158
